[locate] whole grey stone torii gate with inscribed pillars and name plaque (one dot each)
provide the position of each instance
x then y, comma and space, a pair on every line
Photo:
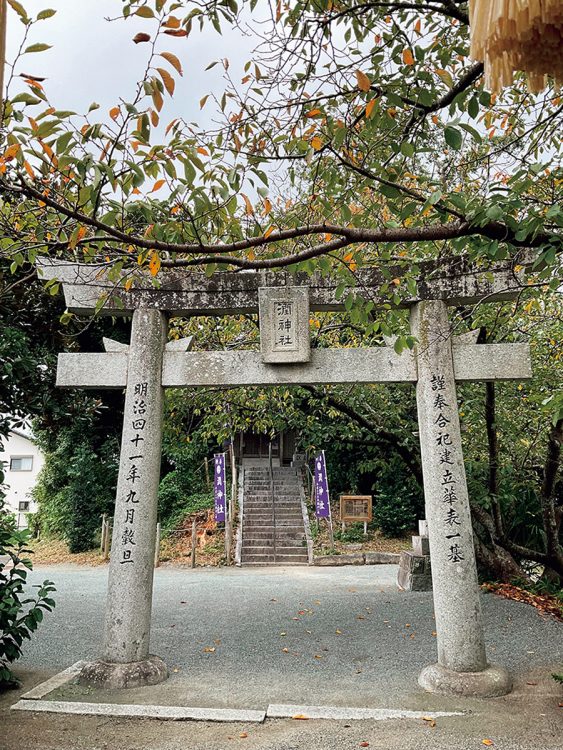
149, 364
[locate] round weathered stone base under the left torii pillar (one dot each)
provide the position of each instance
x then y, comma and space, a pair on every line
105, 674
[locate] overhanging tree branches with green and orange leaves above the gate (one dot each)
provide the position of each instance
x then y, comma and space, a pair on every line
360, 134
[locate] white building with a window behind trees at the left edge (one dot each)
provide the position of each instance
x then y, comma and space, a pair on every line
22, 461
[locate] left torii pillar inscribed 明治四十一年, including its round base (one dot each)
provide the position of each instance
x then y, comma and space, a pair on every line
126, 661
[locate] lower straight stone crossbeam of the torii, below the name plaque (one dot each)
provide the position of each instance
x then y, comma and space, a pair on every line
369, 365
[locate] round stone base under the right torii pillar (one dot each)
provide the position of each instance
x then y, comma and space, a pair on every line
490, 683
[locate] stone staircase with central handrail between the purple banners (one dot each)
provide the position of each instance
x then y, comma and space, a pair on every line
273, 536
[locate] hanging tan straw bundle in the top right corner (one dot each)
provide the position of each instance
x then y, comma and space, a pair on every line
511, 35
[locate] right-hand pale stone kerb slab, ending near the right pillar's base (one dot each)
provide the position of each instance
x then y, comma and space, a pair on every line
286, 711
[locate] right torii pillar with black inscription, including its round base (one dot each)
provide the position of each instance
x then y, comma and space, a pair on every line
462, 667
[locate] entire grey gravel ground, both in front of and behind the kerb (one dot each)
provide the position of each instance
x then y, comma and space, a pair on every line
337, 636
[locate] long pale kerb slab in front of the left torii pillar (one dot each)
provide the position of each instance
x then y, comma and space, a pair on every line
172, 713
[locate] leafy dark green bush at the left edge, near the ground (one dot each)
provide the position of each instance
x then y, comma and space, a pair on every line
20, 613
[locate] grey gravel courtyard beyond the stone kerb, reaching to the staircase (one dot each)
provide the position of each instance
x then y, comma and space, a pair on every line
247, 637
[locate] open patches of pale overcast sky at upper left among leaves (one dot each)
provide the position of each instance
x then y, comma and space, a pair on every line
95, 60
